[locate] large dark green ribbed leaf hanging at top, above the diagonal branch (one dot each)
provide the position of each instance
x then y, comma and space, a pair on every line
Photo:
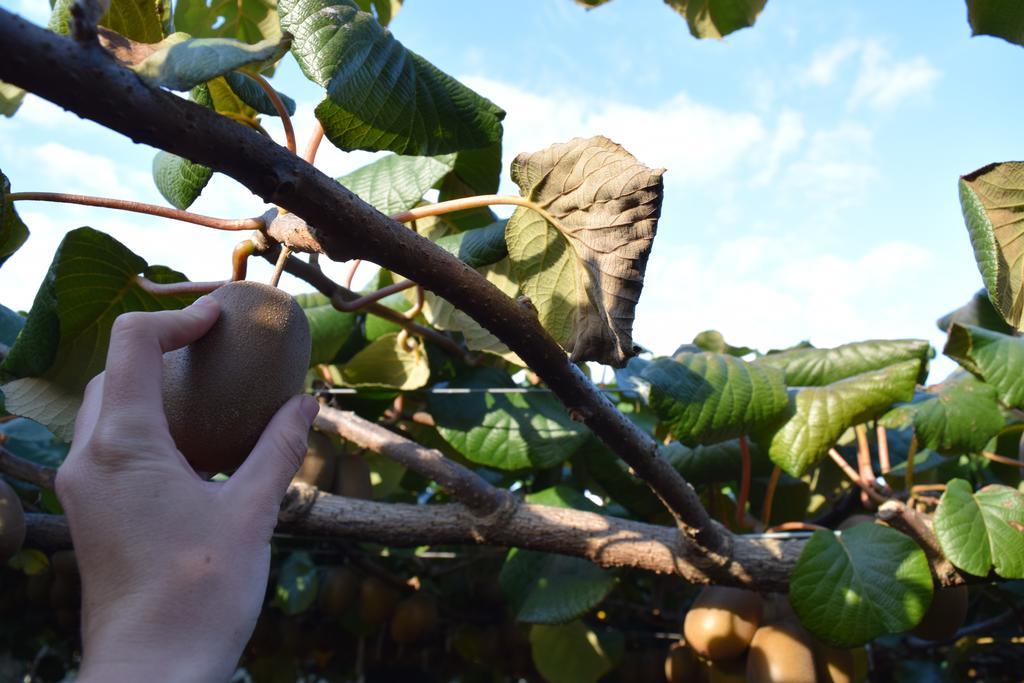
379, 95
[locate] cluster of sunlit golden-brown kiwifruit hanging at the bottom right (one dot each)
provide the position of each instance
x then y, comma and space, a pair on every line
732, 634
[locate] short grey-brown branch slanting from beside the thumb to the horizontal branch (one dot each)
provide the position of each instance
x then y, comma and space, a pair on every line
464, 485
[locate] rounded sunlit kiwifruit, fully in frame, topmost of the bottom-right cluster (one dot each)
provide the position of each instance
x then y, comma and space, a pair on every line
722, 621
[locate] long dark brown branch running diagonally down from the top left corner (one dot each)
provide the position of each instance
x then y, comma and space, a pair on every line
89, 82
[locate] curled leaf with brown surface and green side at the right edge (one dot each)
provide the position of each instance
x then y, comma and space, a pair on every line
993, 201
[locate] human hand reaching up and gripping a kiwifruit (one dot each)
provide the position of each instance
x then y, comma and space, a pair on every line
175, 568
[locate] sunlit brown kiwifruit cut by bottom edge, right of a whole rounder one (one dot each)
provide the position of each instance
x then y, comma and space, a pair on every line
781, 653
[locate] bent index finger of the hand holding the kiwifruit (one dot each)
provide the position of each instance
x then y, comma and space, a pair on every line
135, 359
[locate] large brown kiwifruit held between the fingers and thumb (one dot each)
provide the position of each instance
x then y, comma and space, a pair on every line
222, 391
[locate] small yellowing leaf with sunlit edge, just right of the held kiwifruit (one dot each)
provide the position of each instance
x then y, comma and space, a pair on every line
386, 364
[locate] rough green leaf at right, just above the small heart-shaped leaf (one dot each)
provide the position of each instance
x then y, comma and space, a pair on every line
958, 416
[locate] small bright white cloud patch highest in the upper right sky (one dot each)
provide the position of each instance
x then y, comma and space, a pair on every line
885, 82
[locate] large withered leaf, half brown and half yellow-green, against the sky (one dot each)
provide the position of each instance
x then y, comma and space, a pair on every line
582, 262
